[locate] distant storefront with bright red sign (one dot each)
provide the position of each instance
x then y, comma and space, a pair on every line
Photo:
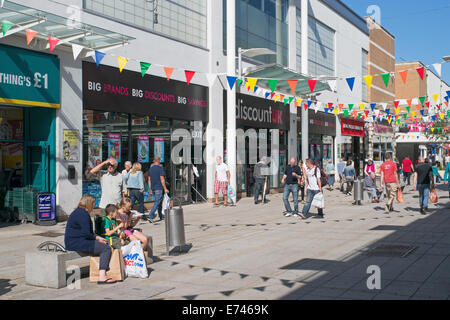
352, 142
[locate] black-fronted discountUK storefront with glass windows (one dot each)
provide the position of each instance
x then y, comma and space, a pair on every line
262, 130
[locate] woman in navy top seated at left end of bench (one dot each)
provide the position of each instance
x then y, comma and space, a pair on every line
79, 236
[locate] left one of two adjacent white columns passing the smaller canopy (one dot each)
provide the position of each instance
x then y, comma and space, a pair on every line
292, 59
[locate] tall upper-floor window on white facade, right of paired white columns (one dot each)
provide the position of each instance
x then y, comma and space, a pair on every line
321, 53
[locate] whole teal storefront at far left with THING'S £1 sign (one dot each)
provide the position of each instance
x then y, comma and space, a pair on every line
29, 96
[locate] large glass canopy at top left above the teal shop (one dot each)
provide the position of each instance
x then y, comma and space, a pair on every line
66, 30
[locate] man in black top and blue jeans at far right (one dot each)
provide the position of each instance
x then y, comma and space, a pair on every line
423, 182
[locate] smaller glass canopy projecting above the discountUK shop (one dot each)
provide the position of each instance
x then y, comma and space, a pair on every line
279, 72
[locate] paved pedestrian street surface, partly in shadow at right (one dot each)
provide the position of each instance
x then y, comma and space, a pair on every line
253, 252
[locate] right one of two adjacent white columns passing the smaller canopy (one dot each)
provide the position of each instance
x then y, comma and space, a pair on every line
304, 47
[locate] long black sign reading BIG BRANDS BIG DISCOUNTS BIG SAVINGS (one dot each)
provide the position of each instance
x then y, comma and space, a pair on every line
107, 89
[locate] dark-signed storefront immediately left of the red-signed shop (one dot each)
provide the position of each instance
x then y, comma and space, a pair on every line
322, 133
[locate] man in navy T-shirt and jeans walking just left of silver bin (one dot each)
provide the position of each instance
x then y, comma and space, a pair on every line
157, 185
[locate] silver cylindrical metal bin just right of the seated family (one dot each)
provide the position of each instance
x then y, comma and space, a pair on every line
174, 224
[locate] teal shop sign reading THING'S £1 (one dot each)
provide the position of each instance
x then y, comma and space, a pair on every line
29, 78
